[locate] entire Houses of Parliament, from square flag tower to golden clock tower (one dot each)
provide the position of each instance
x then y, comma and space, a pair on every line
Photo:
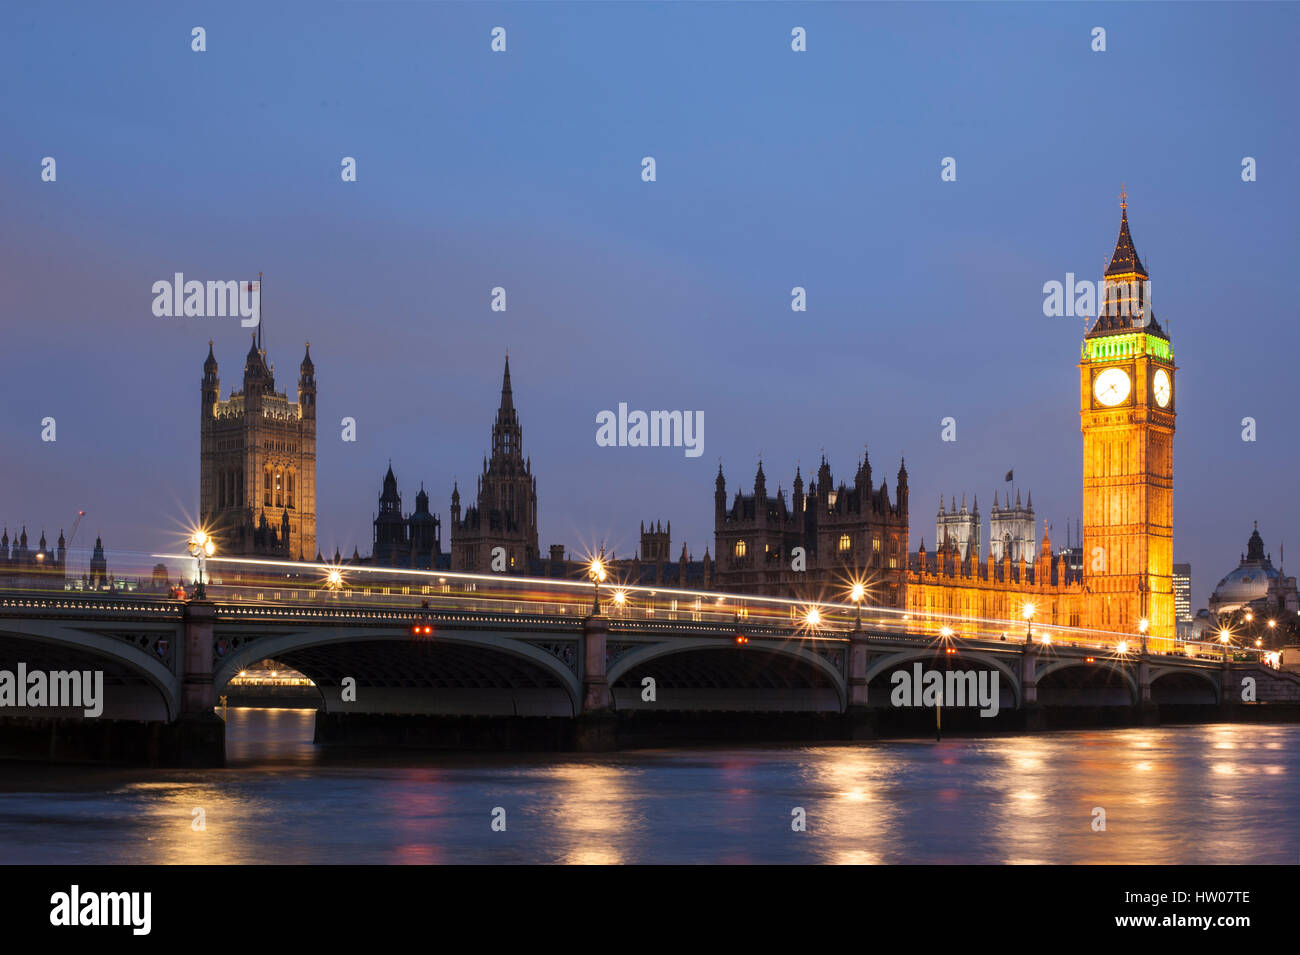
258, 493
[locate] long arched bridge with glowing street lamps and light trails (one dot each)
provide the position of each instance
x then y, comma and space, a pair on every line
435, 645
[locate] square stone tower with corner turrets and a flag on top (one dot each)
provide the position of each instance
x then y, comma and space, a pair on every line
258, 471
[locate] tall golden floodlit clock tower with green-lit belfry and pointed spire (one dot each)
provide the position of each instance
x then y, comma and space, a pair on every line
1126, 411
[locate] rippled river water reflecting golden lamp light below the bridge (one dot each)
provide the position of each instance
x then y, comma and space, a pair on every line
1224, 793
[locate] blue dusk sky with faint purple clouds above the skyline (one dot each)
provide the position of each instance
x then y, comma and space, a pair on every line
523, 170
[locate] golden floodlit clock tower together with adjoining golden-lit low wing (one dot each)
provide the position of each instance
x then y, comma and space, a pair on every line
1126, 413
